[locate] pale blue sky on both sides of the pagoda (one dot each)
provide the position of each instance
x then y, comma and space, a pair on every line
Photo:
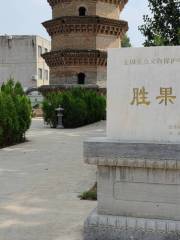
24, 17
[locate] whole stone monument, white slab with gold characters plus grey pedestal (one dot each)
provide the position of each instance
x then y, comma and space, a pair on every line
139, 160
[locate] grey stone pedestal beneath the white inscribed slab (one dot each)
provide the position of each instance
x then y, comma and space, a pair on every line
138, 190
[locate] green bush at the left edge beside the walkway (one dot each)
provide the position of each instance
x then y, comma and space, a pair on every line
15, 114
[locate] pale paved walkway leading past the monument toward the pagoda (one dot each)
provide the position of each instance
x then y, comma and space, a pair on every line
40, 181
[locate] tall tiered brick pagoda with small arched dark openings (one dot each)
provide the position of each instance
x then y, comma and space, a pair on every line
81, 32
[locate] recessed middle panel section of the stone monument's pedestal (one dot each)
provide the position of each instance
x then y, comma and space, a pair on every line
157, 196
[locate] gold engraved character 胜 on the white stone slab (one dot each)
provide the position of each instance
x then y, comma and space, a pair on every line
140, 97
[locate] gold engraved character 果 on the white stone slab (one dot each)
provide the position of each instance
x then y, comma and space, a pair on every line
166, 96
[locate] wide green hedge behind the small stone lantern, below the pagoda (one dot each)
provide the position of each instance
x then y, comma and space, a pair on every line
81, 107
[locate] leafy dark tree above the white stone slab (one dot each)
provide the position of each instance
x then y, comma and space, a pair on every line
162, 28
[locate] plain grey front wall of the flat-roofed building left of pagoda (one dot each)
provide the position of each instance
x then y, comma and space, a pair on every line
18, 59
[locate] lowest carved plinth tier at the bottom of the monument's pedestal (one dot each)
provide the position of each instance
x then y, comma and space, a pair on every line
107, 227
